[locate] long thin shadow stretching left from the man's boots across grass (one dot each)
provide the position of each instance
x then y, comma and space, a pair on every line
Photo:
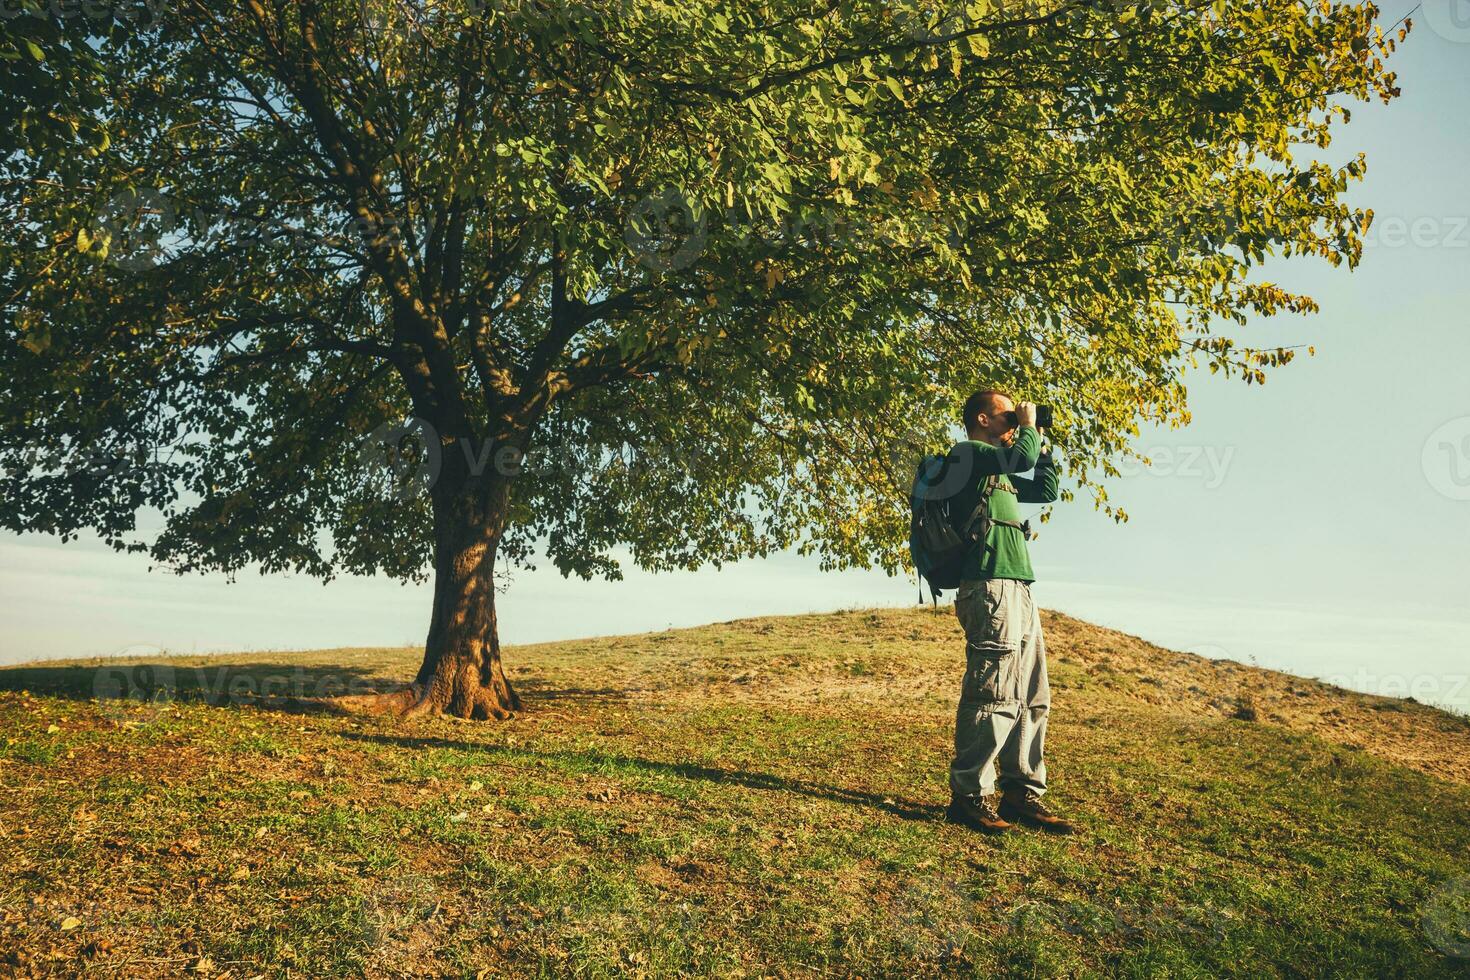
595, 760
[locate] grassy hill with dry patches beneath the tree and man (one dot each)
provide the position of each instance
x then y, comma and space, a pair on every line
750, 799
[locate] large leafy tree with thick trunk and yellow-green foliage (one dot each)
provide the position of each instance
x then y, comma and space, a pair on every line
695, 278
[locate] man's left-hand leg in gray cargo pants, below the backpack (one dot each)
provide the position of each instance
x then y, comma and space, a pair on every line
990, 706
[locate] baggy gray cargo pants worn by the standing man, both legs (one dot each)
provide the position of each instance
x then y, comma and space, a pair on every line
1005, 697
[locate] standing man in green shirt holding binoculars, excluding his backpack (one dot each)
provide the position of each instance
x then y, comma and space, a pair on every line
1005, 699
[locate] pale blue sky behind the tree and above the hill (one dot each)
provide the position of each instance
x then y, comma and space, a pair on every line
1318, 525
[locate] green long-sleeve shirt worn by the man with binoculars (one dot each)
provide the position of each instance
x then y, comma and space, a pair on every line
1006, 556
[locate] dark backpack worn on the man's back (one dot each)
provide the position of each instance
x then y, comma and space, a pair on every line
939, 537
